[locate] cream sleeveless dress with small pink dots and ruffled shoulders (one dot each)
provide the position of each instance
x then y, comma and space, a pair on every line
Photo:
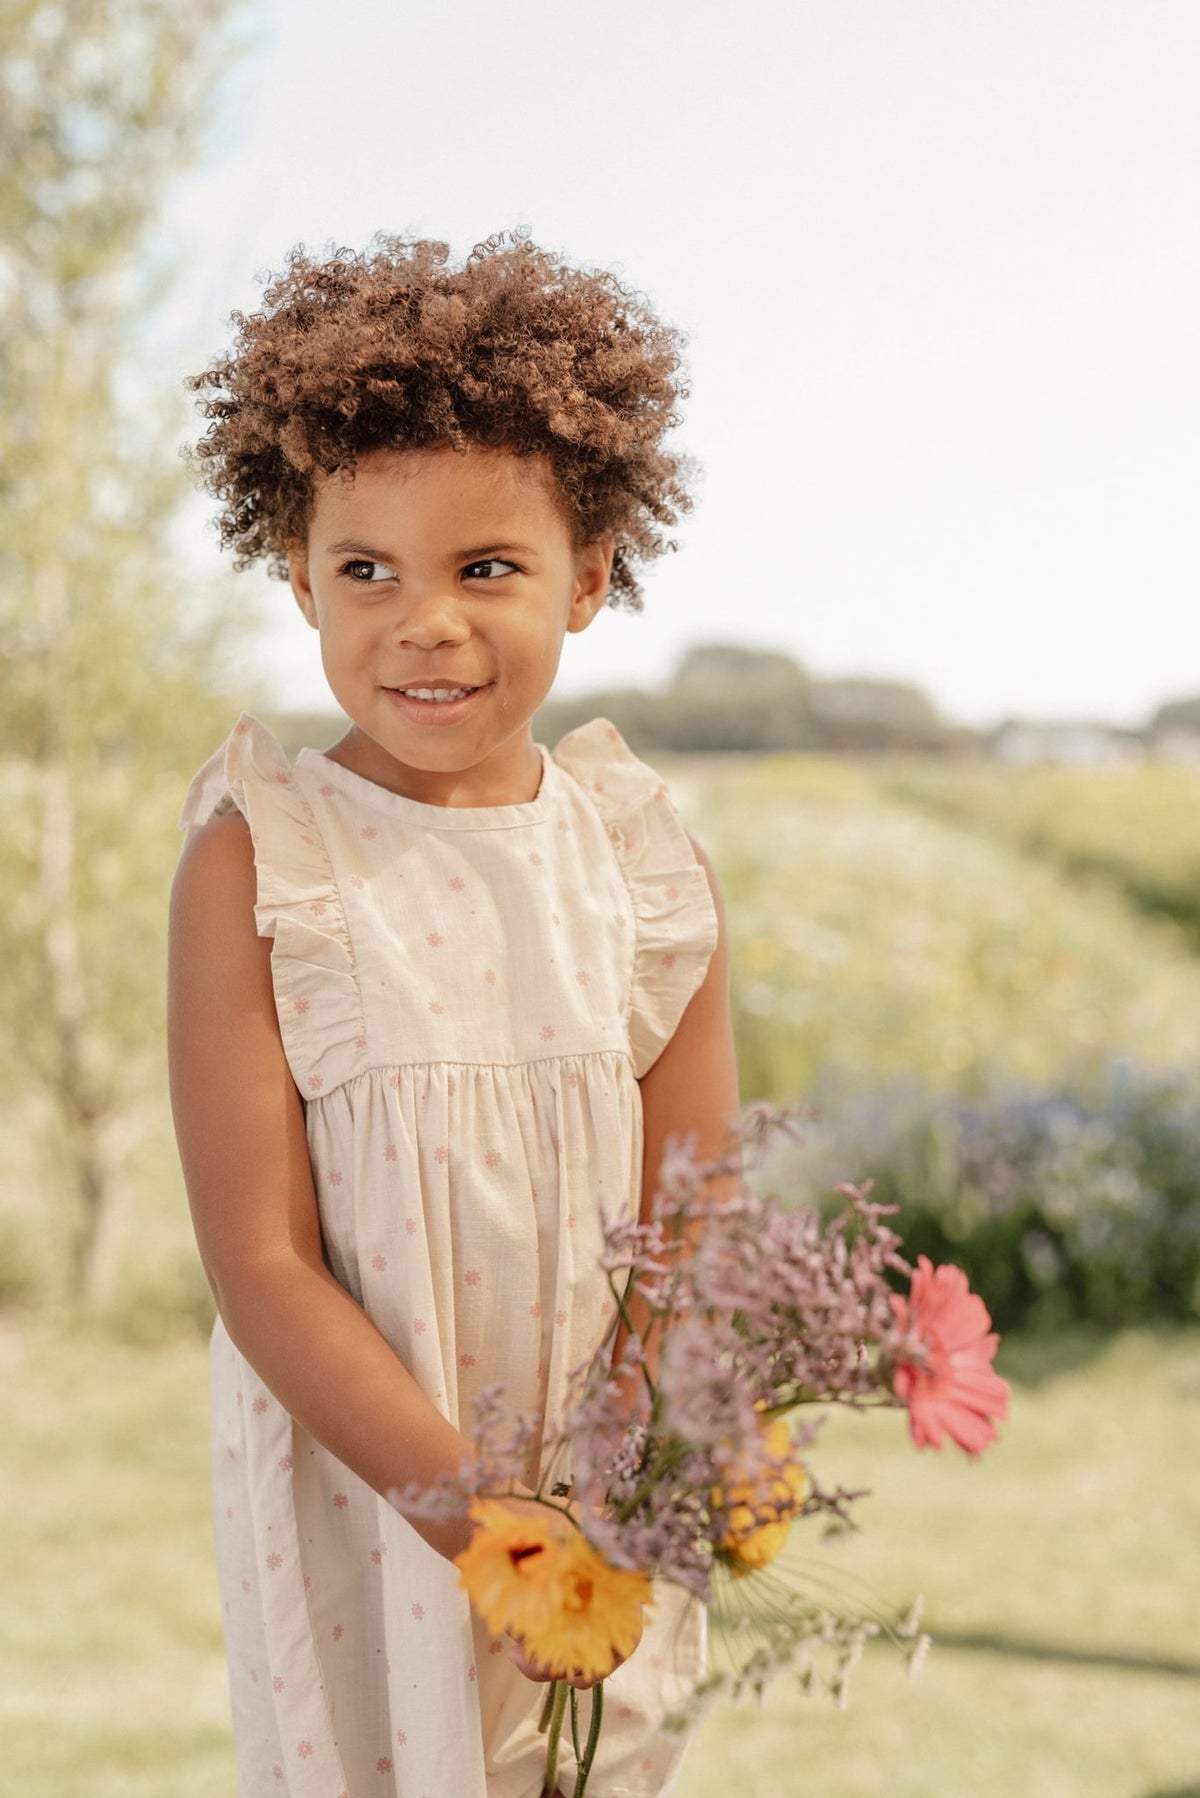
467, 1001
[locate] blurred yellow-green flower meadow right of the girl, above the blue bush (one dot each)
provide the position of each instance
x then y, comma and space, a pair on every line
873, 938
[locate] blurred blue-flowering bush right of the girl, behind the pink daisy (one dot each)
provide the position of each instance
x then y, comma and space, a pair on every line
1062, 1206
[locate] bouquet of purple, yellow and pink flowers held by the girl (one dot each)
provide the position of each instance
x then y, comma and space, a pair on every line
685, 1450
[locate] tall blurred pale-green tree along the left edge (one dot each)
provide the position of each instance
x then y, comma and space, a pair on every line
109, 663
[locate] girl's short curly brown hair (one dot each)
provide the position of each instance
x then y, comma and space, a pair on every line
402, 350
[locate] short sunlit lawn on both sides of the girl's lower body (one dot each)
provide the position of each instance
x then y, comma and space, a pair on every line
1059, 1580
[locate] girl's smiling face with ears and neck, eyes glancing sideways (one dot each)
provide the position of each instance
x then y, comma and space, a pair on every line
443, 585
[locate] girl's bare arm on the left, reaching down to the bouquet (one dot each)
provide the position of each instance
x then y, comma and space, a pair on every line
240, 1126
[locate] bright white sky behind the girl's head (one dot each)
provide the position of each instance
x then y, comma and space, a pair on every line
938, 263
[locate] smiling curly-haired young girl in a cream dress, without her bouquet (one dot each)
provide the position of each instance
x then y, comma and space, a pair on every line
436, 997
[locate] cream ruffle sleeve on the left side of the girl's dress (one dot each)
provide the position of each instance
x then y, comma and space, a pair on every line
321, 1015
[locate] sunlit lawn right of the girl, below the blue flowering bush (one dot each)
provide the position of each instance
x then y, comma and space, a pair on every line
1059, 1578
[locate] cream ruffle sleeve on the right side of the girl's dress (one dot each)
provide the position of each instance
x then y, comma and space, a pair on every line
674, 909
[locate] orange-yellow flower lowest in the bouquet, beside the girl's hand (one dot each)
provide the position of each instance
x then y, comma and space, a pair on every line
537, 1578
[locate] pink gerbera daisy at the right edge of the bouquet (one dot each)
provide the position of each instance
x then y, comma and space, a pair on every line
953, 1387
